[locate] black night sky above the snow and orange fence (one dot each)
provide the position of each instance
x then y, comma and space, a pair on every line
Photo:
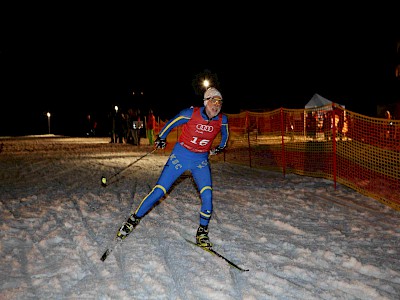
73, 63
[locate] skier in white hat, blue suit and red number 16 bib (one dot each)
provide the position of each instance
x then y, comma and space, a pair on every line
201, 125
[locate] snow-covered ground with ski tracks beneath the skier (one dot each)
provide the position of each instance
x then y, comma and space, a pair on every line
298, 236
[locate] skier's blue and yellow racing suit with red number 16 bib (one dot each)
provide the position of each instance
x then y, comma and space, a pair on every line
189, 153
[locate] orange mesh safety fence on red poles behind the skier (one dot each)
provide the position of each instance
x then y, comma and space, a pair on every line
330, 142
